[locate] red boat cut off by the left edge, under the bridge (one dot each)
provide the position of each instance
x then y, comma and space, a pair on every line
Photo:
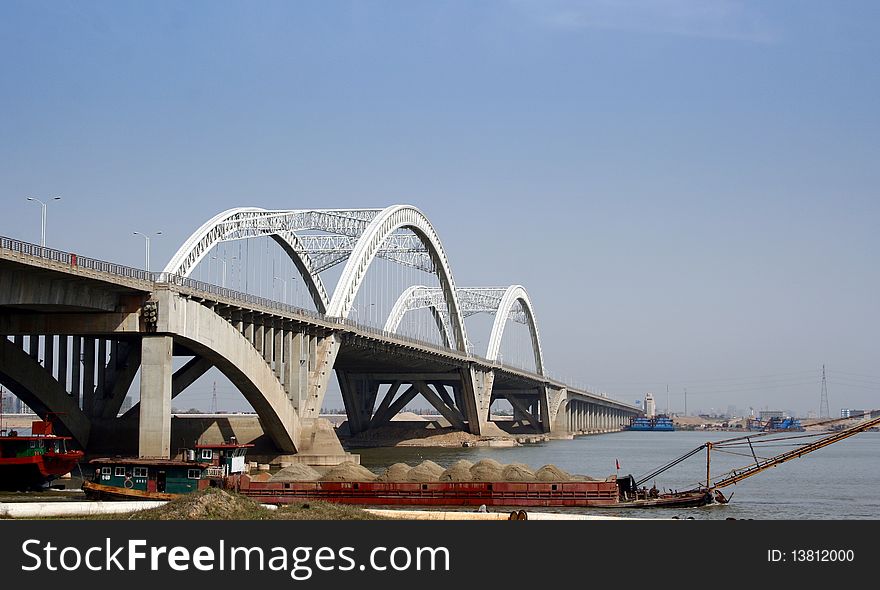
32, 461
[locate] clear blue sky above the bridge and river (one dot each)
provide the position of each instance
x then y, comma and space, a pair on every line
687, 188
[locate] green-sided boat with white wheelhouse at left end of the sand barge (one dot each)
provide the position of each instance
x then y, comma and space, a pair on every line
128, 478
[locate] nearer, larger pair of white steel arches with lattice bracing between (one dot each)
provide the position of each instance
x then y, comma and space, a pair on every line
400, 233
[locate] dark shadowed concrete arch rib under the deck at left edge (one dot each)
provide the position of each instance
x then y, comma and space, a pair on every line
34, 385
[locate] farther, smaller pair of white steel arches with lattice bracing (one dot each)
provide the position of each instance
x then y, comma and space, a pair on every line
506, 303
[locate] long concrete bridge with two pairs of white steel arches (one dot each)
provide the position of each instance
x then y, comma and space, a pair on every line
78, 331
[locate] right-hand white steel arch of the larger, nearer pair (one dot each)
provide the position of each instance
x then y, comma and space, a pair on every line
383, 225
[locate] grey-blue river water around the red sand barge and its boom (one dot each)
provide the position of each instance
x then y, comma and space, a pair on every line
838, 482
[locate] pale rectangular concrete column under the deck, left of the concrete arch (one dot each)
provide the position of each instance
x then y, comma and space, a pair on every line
154, 432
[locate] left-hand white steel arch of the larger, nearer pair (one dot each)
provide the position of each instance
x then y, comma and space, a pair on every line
212, 232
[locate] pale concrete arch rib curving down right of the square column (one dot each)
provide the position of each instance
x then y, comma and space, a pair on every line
213, 338
